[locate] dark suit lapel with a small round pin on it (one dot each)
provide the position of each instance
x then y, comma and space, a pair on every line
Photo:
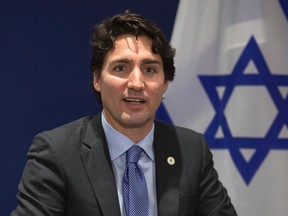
168, 164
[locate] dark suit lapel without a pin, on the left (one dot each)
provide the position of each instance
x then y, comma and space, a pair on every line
96, 159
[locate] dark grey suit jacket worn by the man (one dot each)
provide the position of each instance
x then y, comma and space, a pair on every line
69, 172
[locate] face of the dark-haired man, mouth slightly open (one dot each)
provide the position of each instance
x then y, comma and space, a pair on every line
131, 83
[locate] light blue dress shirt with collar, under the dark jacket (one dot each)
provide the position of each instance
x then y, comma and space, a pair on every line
118, 144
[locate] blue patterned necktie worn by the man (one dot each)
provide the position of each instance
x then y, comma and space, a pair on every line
135, 192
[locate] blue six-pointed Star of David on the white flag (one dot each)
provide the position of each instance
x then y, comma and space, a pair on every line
271, 139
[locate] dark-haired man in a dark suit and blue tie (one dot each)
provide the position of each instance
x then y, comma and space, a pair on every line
78, 169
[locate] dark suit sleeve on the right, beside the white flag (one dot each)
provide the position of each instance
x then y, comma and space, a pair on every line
213, 199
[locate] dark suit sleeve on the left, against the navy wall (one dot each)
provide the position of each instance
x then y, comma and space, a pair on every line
41, 189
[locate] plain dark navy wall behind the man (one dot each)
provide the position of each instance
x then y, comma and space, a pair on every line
44, 70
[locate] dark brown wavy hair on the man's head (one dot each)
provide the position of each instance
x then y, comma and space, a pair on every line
105, 33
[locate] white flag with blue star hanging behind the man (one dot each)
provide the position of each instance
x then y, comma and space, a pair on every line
232, 85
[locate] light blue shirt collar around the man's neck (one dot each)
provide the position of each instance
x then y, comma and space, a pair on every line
118, 143
